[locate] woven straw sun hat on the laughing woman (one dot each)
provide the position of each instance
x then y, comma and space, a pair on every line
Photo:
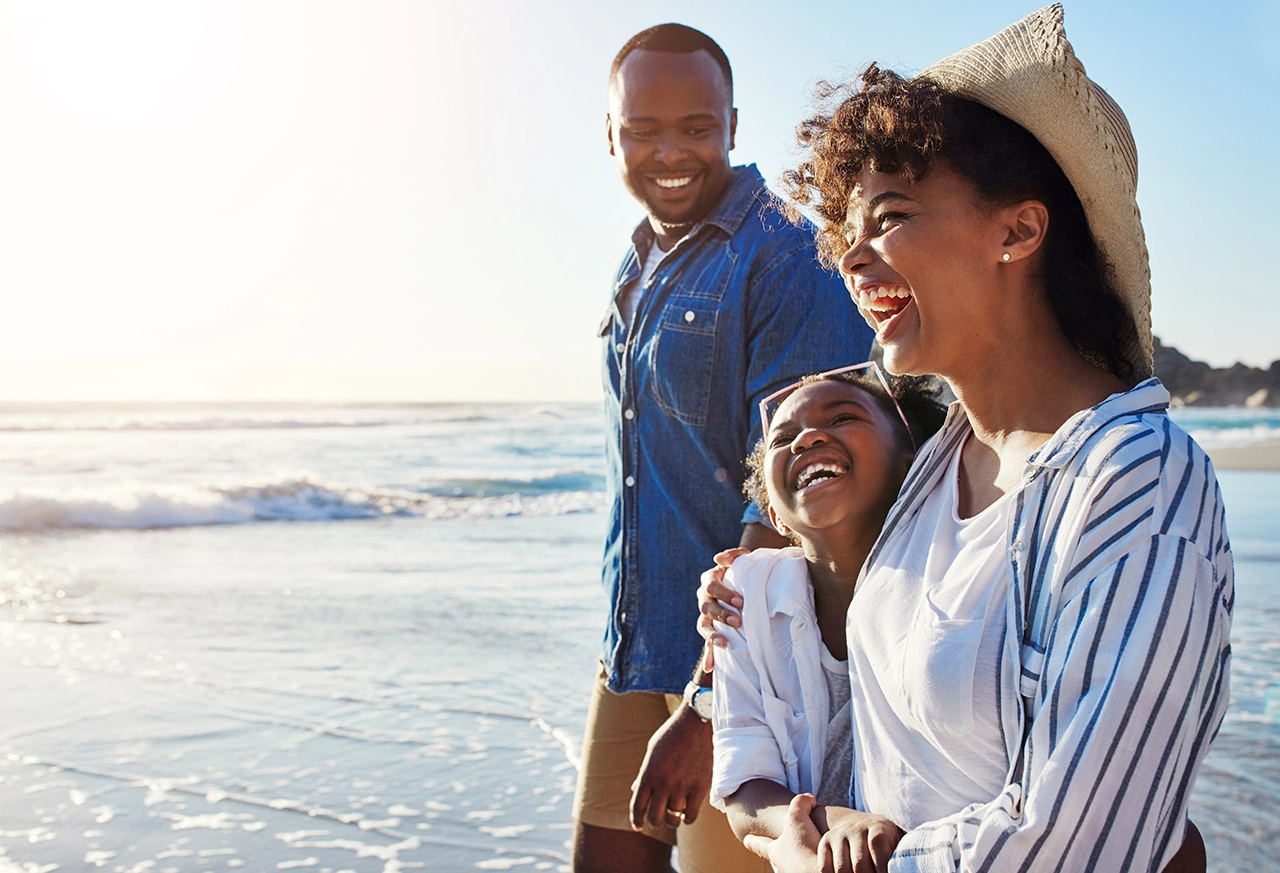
1030, 75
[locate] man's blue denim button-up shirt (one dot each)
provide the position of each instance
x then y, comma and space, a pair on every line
737, 310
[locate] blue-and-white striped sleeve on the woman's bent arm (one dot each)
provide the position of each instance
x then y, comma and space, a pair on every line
1131, 652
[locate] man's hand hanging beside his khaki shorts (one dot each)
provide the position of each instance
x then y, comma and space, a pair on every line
676, 774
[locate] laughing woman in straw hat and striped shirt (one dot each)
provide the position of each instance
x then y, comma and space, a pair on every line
1039, 645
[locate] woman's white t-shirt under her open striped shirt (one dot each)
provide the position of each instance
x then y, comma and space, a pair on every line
927, 630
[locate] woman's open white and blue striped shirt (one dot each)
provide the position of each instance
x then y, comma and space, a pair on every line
1119, 614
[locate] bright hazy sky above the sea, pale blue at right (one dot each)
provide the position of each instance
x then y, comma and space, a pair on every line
272, 200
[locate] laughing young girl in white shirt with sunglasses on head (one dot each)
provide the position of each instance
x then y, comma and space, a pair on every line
836, 450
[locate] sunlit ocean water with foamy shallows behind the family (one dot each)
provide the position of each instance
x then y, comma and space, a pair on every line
363, 637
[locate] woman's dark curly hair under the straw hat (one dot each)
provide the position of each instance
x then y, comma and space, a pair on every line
892, 125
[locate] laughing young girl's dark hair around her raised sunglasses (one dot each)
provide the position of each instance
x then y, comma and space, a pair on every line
917, 396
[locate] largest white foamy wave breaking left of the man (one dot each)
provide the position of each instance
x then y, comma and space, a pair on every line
300, 497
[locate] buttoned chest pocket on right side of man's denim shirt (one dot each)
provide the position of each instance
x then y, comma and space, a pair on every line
683, 358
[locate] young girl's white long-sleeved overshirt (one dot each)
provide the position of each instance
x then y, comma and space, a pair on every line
771, 698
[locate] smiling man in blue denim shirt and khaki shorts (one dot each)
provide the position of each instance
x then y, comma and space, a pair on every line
719, 303
